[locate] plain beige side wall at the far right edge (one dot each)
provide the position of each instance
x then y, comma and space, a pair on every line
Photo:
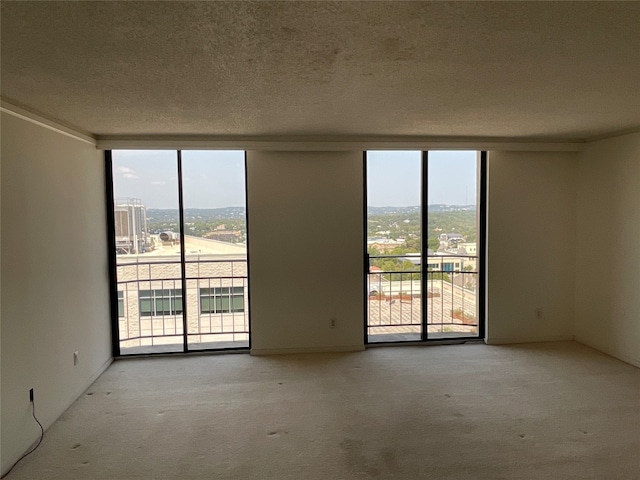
607, 300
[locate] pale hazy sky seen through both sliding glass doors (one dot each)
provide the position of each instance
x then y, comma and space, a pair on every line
214, 179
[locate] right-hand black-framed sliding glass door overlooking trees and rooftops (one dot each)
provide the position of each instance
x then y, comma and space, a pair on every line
425, 223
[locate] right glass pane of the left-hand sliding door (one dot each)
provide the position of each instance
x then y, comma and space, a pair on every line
215, 245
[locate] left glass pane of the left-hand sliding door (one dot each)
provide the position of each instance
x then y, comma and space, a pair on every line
147, 233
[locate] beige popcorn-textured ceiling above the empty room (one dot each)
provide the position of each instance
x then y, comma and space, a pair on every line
548, 70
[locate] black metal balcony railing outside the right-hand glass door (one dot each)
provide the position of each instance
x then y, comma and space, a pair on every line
395, 302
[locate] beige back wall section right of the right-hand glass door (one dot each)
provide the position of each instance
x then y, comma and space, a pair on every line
531, 252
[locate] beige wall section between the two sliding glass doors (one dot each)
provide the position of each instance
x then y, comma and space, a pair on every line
306, 246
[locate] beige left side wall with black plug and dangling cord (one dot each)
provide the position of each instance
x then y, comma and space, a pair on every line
54, 277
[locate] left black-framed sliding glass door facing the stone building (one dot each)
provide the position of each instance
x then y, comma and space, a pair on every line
179, 250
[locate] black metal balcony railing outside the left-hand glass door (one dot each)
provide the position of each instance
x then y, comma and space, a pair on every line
151, 304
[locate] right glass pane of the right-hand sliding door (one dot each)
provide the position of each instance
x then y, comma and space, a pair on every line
452, 237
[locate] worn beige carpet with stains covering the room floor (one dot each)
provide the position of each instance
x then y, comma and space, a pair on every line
540, 411
